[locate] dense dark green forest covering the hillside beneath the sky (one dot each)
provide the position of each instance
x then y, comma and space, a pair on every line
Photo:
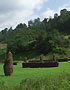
43, 36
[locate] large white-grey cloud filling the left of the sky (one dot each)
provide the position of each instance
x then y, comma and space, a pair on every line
13, 12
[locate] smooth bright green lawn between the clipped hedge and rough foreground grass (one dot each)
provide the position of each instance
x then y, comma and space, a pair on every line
33, 73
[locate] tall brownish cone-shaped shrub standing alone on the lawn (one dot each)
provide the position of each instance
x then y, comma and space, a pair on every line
8, 64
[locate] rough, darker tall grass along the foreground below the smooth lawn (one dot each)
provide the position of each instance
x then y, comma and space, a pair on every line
59, 82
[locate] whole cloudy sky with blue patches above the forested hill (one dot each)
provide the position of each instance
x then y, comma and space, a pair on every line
13, 12
